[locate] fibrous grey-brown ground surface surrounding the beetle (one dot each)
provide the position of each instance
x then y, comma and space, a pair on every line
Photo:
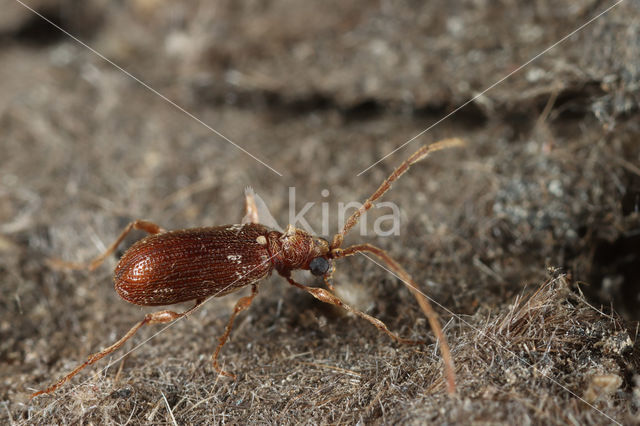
528, 238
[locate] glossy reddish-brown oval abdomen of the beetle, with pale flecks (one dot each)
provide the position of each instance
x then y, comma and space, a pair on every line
190, 264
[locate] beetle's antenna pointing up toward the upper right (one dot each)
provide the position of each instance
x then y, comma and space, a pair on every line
386, 185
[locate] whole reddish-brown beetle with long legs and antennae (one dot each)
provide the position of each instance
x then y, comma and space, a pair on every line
169, 267
